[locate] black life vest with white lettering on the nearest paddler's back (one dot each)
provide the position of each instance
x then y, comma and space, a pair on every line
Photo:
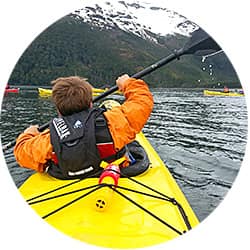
81, 141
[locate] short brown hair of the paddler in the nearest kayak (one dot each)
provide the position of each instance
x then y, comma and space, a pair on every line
71, 94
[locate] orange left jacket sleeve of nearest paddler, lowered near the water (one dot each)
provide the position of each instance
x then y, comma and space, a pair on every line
33, 151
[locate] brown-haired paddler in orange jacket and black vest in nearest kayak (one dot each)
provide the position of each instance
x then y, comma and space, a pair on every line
81, 136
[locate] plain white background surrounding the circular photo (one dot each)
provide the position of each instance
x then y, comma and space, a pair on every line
227, 21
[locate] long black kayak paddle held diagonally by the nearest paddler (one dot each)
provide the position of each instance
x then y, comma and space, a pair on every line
200, 43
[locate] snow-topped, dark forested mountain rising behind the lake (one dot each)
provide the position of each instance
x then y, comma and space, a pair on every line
105, 39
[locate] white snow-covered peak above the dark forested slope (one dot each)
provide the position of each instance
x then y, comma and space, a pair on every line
138, 17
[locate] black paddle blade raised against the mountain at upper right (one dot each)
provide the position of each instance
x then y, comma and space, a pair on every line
201, 43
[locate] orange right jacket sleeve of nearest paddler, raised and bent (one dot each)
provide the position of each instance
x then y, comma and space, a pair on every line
128, 119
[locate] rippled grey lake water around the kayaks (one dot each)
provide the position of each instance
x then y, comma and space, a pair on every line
201, 139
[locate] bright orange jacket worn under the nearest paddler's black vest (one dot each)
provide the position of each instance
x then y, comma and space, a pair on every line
33, 150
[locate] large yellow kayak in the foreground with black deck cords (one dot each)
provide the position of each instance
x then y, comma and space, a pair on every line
140, 211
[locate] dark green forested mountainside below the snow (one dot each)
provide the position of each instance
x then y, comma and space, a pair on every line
72, 47
